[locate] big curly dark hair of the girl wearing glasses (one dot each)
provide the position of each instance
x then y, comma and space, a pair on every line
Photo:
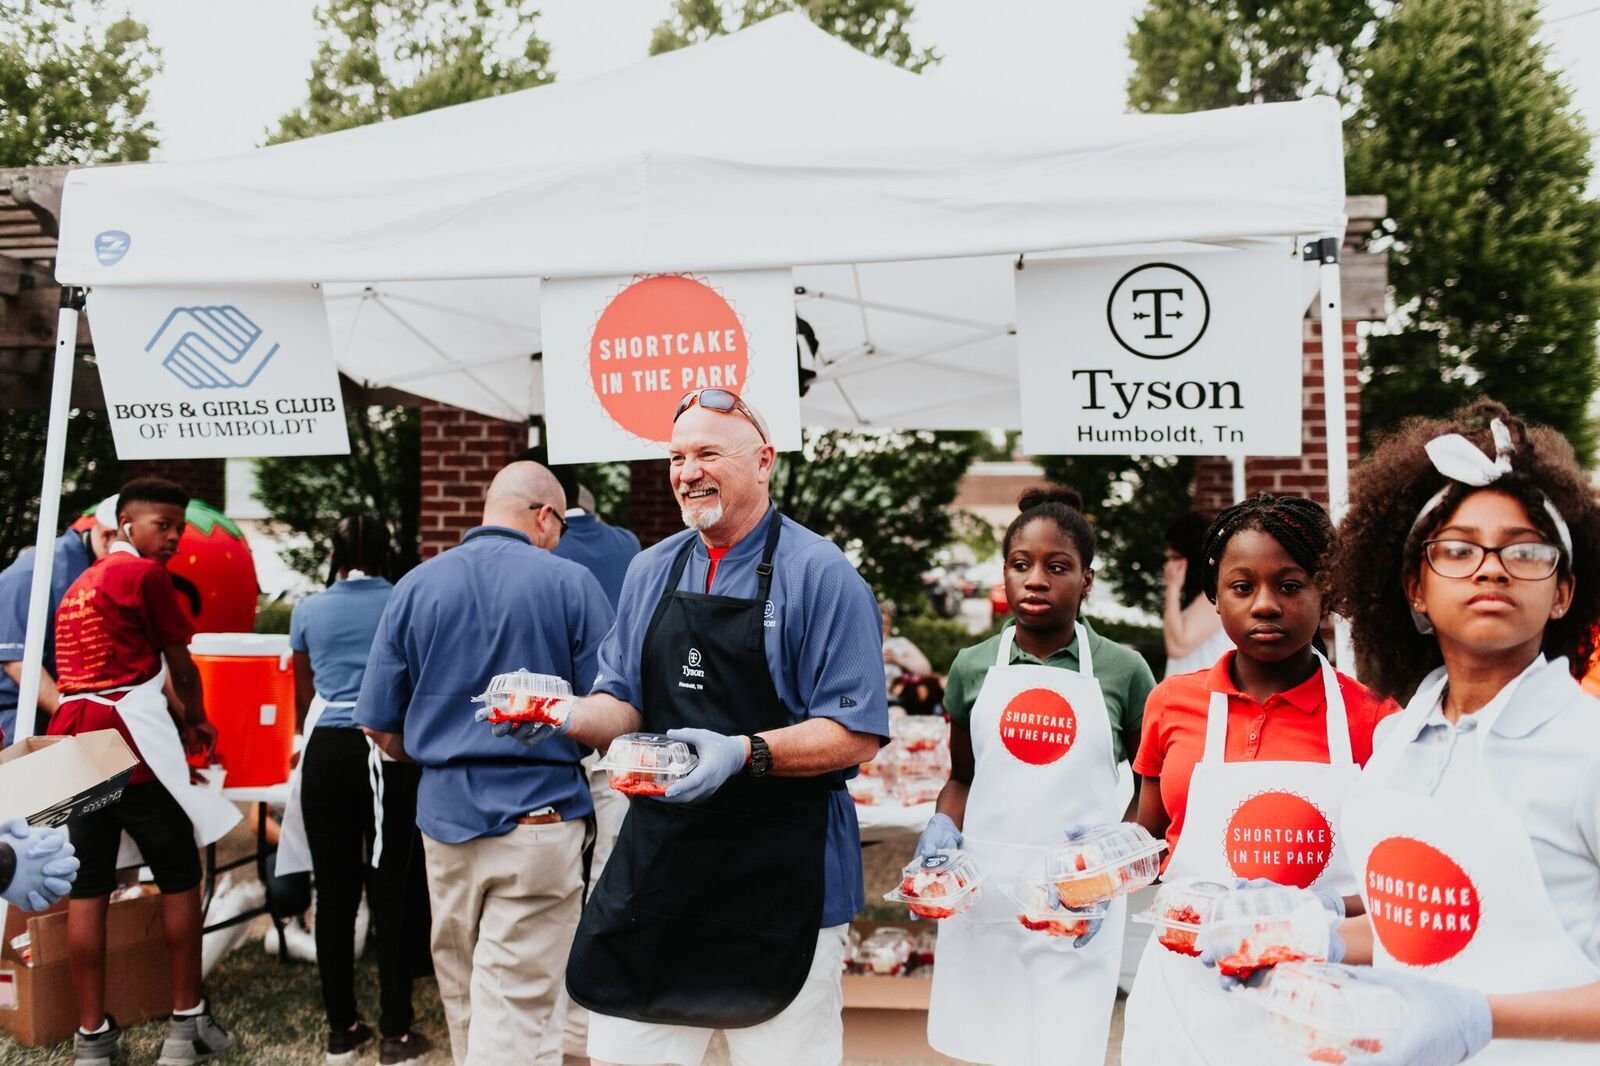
1374, 551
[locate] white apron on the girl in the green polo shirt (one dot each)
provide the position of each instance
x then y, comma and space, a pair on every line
1001, 993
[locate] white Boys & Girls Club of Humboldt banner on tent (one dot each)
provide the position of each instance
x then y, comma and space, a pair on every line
206, 374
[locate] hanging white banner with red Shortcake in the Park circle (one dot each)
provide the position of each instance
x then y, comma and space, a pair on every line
620, 353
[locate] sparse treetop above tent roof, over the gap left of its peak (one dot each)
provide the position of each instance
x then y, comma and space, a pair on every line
390, 58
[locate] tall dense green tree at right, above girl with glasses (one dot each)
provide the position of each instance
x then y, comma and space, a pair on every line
1495, 254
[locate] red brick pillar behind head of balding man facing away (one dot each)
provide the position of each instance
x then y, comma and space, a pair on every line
462, 454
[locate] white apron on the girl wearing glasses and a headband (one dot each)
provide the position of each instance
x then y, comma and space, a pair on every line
1497, 929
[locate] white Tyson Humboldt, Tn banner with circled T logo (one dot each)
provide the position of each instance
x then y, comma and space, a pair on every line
1193, 355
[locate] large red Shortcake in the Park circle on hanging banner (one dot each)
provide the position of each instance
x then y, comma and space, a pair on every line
655, 342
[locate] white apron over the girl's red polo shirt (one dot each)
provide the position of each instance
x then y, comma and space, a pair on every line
1244, 820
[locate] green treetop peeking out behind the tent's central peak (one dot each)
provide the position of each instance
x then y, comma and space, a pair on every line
879, 28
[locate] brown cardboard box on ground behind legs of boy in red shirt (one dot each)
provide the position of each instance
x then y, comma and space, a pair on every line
38, 1004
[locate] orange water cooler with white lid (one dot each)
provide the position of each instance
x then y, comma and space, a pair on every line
249, 683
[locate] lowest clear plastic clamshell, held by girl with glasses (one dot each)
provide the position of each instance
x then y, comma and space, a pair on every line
1319, 1011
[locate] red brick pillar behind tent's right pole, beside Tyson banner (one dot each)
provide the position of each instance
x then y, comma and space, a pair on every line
1308, 473
